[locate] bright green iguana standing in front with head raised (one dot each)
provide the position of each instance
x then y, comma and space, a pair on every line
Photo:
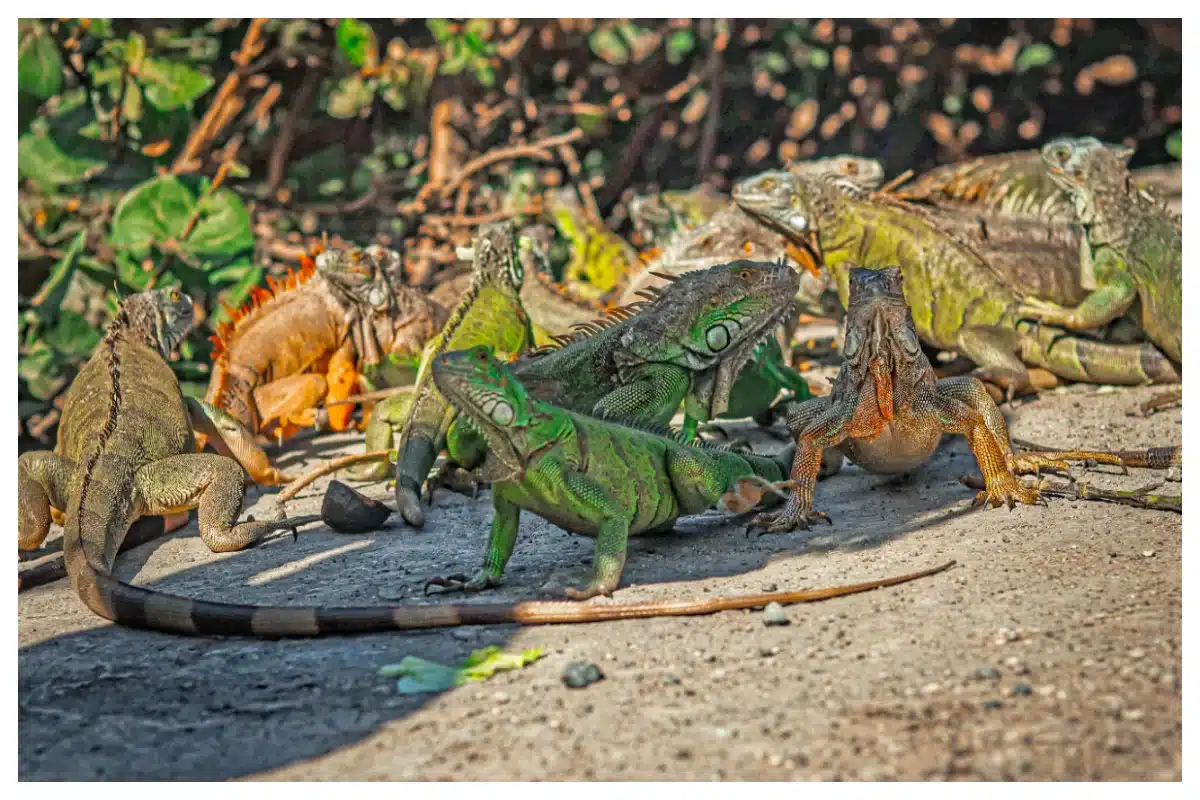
590, 477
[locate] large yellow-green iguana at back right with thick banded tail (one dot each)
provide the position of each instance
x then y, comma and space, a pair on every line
958, 302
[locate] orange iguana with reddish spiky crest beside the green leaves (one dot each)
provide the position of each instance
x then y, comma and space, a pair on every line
310, 338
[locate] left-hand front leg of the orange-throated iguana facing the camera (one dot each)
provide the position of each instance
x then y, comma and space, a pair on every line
817, 425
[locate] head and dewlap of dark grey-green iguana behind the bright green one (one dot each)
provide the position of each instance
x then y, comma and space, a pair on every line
710, 322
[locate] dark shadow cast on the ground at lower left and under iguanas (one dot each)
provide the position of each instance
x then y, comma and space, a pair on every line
122, 705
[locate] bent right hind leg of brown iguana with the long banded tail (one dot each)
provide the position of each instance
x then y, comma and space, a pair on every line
214, 485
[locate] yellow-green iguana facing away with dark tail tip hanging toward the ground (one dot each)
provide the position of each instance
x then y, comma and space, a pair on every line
490, 312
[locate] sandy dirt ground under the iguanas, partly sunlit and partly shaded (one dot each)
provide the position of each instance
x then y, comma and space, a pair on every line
1053, 651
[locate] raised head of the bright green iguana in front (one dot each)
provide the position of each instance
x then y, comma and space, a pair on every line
485, 392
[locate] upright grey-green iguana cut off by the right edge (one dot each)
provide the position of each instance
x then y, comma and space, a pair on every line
1133, 243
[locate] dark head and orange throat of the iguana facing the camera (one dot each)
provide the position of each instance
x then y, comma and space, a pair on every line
881, 338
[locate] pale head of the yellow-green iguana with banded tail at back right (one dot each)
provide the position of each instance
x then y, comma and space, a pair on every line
784, 202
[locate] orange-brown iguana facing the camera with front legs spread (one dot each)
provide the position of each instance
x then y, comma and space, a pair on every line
887, 412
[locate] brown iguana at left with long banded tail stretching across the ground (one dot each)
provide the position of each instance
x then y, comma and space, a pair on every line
127, 449
